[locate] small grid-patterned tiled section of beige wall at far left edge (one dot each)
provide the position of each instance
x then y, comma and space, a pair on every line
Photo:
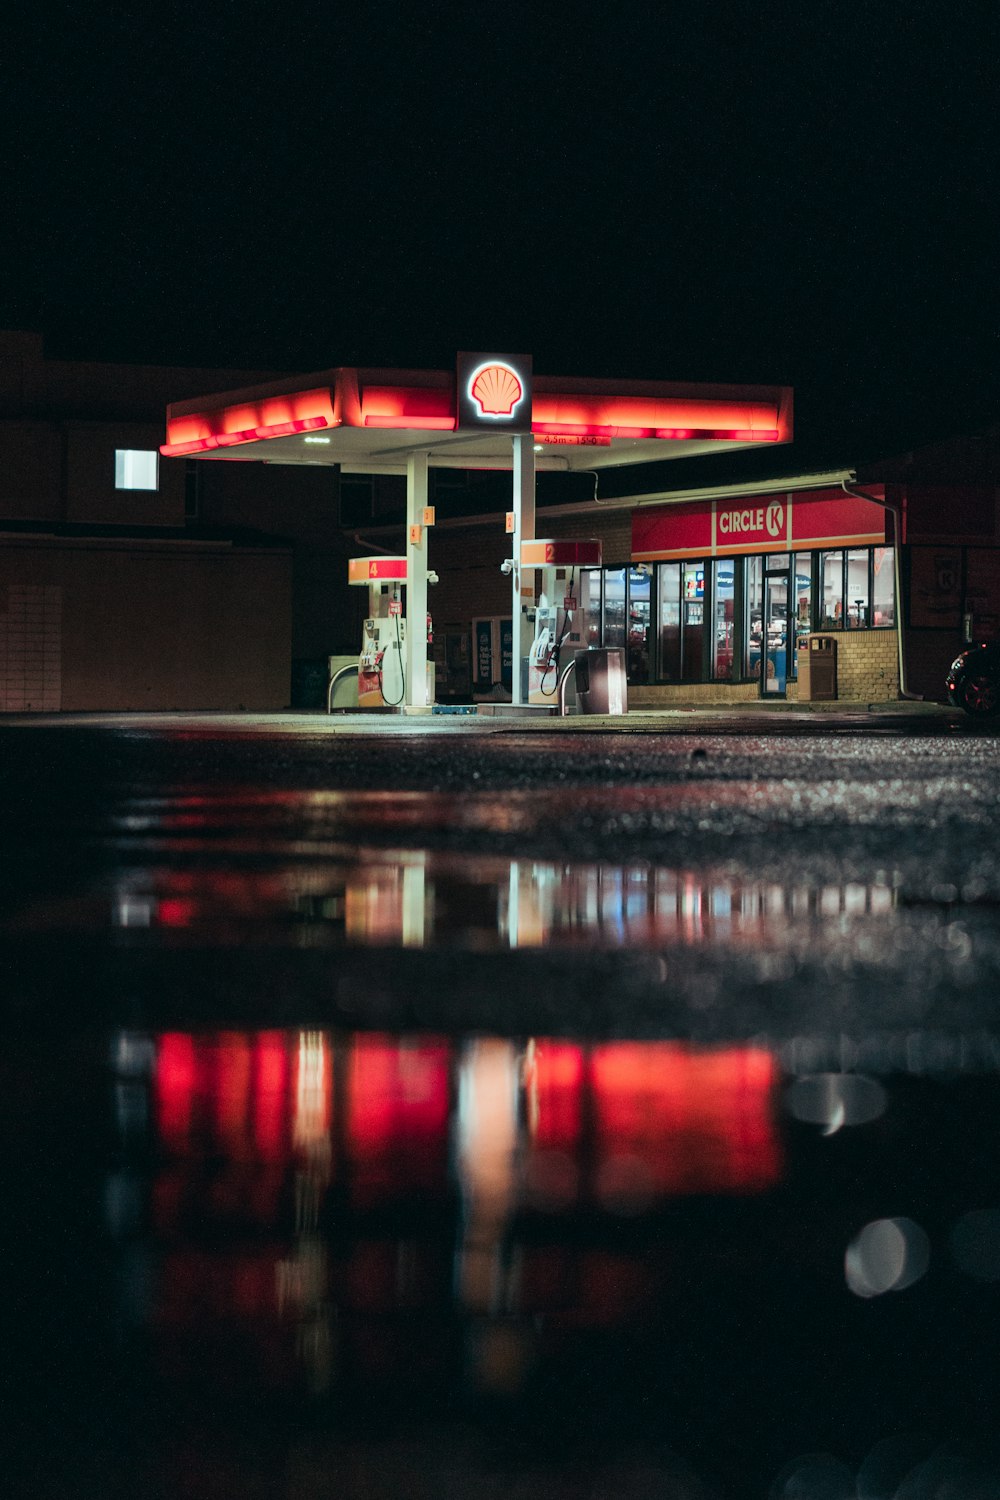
31, 649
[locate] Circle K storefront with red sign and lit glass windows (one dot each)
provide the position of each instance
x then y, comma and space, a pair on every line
723, 592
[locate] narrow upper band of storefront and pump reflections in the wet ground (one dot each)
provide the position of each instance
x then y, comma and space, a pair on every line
418, 899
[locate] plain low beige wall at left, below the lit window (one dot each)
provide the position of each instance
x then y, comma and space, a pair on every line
173, 626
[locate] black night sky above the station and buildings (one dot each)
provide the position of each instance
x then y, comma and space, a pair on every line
765, 194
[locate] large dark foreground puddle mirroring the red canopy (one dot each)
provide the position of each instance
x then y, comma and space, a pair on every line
251, 1255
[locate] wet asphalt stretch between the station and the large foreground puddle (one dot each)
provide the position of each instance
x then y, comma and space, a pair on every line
867, 848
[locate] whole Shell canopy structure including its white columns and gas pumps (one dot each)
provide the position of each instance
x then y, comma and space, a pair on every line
491, 413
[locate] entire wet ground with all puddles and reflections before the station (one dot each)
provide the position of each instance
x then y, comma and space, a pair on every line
451, 1109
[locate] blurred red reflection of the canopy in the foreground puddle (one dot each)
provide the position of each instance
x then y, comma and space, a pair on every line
334, 1204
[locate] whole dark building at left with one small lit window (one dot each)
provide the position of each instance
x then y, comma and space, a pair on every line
128, 583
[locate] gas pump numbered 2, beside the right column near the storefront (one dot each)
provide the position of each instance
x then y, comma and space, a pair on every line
560, 611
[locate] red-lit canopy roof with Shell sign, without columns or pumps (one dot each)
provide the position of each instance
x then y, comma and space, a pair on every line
373, 421
